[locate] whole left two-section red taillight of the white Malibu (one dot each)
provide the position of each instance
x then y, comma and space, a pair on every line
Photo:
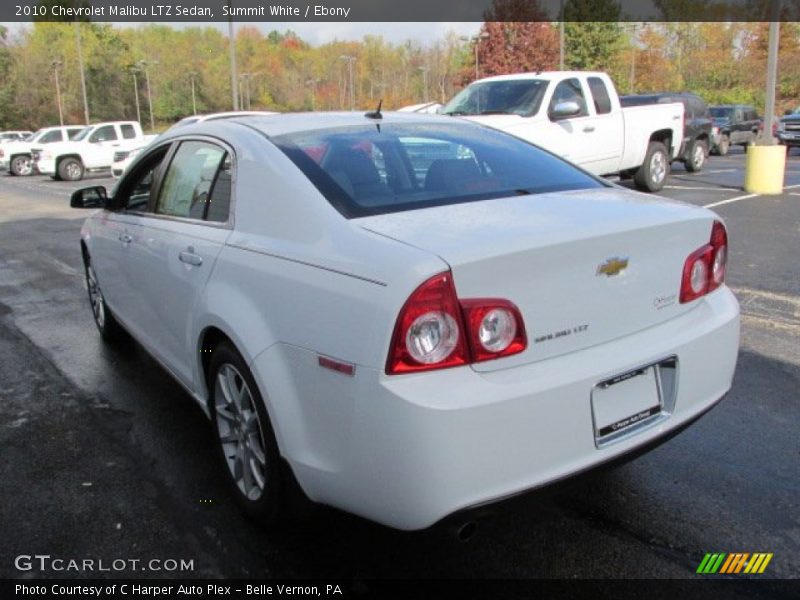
435, 331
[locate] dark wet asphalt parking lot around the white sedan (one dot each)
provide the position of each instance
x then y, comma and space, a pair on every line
105, 456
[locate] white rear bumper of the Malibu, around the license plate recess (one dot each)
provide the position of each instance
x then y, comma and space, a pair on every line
409, 450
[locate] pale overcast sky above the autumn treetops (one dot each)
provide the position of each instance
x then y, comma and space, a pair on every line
320, 33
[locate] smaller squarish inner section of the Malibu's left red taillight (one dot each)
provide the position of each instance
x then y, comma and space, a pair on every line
495, 328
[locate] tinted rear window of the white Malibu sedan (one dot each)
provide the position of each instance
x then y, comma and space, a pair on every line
379, 168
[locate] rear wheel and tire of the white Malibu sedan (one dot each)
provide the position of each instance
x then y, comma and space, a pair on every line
246, 442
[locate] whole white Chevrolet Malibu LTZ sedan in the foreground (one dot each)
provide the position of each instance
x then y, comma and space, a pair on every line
417, 314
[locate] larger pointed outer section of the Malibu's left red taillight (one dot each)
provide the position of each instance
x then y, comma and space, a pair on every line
429, 330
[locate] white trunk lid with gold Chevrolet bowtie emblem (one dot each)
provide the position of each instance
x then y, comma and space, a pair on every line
561, 258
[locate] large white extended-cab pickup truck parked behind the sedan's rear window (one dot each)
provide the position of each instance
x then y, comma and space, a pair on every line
577, 116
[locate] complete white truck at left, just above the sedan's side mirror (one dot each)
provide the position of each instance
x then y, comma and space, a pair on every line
92, 150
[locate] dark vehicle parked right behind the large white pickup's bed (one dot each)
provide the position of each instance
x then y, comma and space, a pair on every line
697, 124
